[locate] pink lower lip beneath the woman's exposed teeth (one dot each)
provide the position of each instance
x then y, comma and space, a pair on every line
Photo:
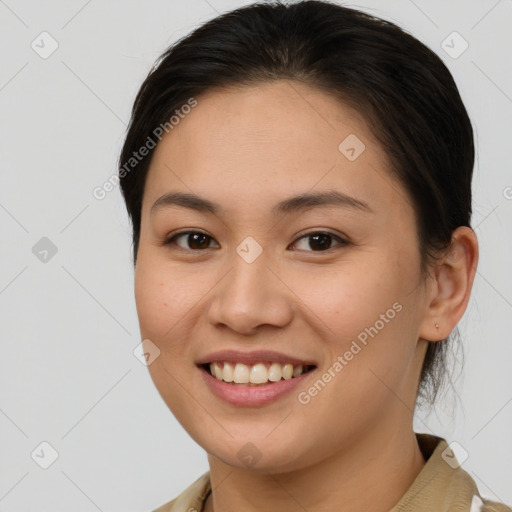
251, 396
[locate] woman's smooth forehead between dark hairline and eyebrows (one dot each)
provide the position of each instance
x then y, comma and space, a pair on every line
272, 140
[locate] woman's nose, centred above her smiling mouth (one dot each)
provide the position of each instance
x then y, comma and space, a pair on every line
251, 295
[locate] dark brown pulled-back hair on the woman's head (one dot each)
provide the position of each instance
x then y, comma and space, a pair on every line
402, 89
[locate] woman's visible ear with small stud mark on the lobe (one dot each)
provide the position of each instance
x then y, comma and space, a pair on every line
449, 292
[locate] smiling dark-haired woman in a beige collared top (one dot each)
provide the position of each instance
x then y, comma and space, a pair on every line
298, 179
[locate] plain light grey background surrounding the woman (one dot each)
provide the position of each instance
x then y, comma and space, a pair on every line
69, 326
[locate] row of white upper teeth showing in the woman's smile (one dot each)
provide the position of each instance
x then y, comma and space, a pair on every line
255, 374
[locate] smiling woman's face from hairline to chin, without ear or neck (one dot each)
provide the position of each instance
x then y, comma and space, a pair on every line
335, 284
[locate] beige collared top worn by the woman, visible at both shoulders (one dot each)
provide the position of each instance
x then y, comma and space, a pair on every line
441, 486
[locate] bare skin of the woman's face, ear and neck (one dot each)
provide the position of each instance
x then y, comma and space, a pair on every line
353, 443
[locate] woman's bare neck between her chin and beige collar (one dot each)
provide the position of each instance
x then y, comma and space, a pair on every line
372, 475
